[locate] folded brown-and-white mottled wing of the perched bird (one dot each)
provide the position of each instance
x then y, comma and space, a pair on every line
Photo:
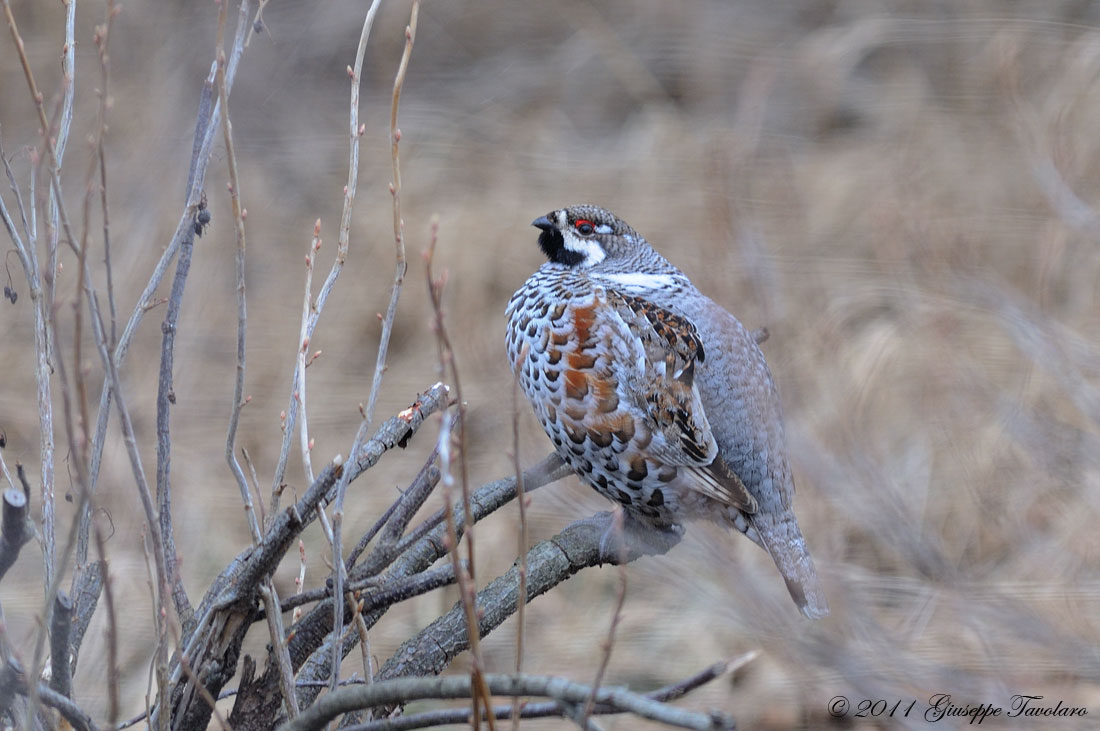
662, 384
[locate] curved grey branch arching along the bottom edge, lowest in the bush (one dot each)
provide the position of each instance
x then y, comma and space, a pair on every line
400, 691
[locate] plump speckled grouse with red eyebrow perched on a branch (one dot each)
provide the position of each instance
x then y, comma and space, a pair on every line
655, 395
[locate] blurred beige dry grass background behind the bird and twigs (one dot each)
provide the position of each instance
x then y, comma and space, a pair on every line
883, 184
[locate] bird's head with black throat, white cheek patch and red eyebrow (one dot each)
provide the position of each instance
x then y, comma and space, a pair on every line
586, 236
